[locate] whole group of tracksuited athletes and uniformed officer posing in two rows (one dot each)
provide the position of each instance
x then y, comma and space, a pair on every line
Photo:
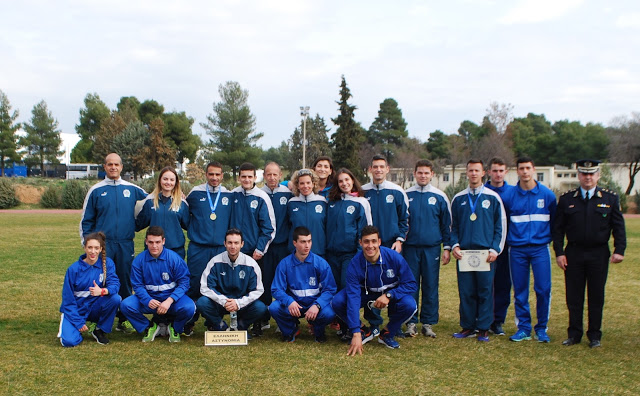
321, 247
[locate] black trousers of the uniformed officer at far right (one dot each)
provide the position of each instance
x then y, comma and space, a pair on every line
586, 267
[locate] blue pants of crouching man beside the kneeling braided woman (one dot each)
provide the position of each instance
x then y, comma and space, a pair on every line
182, 310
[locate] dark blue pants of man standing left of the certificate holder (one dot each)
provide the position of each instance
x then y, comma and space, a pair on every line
424, 262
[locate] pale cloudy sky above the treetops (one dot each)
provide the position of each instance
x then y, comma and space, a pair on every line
443, 62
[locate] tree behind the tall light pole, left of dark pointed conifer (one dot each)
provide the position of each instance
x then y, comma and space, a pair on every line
317, 143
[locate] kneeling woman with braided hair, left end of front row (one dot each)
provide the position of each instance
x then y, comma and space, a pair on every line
89, 293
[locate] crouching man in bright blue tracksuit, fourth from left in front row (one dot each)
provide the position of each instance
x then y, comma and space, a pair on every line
302, 287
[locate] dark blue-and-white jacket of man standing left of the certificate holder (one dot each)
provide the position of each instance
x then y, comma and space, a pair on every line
429, 217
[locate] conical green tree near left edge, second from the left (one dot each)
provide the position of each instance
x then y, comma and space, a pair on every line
42, 140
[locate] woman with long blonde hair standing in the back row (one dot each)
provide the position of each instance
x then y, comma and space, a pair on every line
165, 207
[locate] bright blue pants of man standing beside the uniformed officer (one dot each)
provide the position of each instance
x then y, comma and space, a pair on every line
522, 260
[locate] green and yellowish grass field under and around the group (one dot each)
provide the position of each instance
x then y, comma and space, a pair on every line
36, 249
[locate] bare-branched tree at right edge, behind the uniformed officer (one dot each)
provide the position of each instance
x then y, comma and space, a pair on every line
624, 145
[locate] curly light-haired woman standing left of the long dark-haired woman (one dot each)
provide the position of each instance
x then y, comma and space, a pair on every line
308, 209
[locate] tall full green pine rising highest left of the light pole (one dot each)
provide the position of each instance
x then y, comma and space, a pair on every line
232, 128
